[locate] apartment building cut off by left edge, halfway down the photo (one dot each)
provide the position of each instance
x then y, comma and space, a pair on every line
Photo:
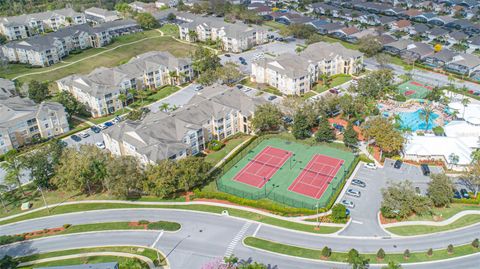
22, 122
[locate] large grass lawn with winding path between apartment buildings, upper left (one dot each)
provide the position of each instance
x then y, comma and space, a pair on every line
109, 59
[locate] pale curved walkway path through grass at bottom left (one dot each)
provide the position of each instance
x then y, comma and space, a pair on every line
150, 263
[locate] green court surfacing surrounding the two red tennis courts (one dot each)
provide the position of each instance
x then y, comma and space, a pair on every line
277, 188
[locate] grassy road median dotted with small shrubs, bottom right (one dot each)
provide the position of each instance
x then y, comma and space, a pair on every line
318, 254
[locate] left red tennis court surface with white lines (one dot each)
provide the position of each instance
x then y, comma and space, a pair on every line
259, 170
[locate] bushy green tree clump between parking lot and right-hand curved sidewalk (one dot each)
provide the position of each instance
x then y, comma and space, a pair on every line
400, 201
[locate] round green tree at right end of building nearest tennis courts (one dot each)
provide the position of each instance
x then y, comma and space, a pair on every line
267, 117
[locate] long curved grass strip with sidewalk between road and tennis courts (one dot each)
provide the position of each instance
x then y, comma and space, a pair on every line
250, 214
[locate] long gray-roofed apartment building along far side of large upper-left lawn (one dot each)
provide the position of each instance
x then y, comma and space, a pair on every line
48, 49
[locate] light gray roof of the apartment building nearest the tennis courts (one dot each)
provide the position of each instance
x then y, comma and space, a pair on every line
160, 135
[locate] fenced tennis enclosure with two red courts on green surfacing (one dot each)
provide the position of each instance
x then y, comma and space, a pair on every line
276, 169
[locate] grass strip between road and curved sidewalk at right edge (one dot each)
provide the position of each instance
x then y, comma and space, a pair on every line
425, 229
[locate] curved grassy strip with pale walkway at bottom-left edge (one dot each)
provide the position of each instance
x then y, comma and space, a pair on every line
126, 256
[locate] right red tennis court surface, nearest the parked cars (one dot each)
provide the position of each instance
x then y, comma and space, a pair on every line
315, 177
